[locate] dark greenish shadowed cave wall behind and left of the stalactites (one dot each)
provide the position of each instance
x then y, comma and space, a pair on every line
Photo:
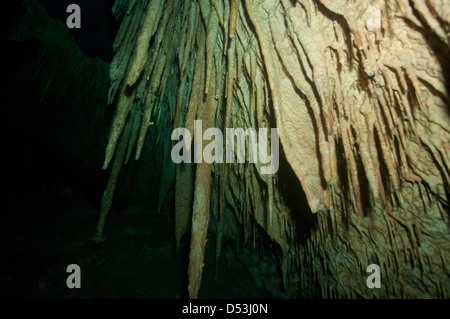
54, 108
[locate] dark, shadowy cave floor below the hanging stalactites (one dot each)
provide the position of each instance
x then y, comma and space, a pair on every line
41, 236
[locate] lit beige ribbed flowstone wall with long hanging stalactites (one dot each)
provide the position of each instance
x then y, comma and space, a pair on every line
359, 94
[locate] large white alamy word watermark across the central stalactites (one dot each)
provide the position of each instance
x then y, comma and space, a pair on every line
213, 151
